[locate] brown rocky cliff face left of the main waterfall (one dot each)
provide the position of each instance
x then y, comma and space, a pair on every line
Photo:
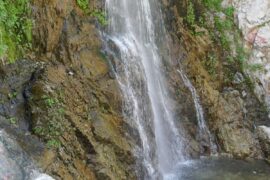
68, 98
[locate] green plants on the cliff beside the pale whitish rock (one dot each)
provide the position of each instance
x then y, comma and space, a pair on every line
229, 52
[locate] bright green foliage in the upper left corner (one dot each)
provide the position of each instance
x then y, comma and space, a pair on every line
15, 29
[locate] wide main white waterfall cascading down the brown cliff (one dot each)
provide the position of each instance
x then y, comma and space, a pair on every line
142, 82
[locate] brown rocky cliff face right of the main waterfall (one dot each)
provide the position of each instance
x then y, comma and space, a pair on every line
231, 107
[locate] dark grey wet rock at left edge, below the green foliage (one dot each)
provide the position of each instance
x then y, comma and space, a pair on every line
14, 114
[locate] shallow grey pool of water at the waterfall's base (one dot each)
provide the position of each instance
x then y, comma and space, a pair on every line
220, 169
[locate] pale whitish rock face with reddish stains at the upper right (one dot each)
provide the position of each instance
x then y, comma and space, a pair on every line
253, 19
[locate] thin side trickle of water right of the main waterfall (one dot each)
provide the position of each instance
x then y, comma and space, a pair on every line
203, 128
